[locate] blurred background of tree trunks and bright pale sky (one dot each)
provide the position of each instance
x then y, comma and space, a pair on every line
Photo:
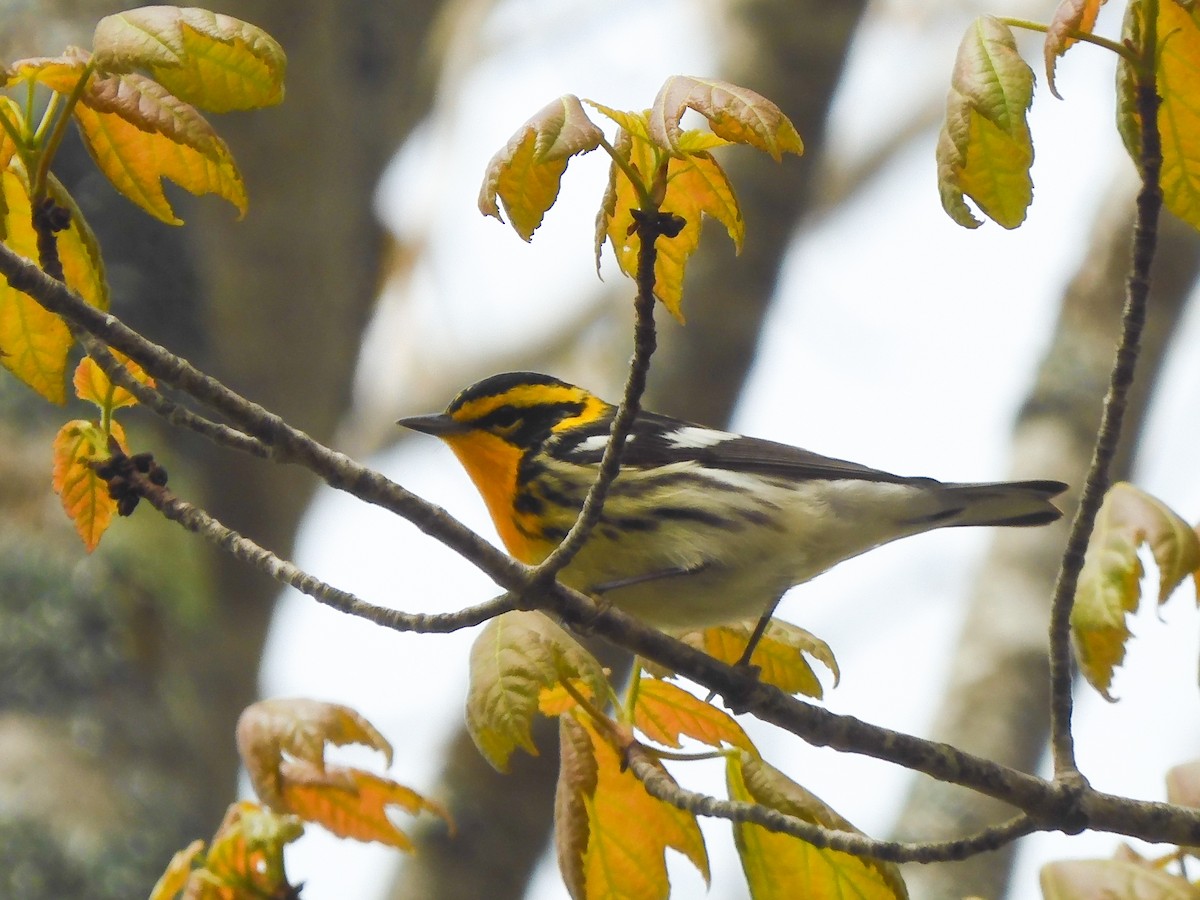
860, 322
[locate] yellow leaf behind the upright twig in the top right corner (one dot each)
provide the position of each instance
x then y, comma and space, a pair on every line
1179, 118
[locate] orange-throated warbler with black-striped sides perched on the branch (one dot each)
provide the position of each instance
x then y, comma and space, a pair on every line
701, 527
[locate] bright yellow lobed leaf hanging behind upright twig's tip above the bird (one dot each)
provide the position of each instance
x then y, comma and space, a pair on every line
695, 187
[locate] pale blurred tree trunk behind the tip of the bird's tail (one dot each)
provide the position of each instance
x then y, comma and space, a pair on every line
998, 700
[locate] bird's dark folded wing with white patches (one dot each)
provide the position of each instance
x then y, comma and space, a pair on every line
658, 441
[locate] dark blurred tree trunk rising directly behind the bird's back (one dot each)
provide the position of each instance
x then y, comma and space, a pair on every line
793, 53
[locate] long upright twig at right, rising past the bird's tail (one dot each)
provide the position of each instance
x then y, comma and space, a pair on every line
1149, 206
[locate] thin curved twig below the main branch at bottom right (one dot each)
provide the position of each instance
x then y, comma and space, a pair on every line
659, 785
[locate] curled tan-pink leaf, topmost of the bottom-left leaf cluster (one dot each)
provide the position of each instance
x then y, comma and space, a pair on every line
271, 730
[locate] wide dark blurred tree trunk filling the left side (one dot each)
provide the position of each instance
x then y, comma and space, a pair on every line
122, 676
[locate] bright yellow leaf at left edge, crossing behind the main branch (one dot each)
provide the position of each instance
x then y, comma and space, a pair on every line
34, 343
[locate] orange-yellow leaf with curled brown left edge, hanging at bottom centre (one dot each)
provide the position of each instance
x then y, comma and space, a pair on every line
617, 835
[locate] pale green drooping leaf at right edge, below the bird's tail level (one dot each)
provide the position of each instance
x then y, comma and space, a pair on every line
1111, 581
